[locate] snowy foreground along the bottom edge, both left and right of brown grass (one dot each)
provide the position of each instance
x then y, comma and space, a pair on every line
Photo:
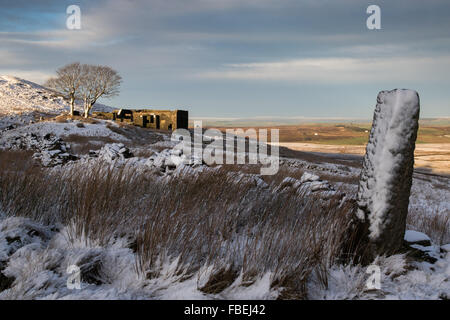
38, 258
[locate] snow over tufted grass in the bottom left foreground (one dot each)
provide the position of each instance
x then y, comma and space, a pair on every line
39, 265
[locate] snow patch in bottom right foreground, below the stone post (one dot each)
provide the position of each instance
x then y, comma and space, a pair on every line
400, 280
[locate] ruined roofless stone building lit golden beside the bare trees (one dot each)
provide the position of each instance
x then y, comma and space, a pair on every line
146, 118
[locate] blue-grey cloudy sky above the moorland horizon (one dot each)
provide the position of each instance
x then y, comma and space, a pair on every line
240, 58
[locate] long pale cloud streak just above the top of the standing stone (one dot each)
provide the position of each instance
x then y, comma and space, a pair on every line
338, 70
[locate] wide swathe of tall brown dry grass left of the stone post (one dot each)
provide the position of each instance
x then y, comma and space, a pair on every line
209, 219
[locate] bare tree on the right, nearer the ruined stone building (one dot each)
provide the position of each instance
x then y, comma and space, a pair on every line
97, 82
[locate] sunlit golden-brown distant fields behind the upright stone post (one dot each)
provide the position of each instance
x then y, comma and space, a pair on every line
432, 150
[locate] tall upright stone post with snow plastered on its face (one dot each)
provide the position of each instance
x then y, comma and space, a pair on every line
386, 177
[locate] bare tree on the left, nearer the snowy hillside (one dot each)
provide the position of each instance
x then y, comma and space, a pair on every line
67, 82
